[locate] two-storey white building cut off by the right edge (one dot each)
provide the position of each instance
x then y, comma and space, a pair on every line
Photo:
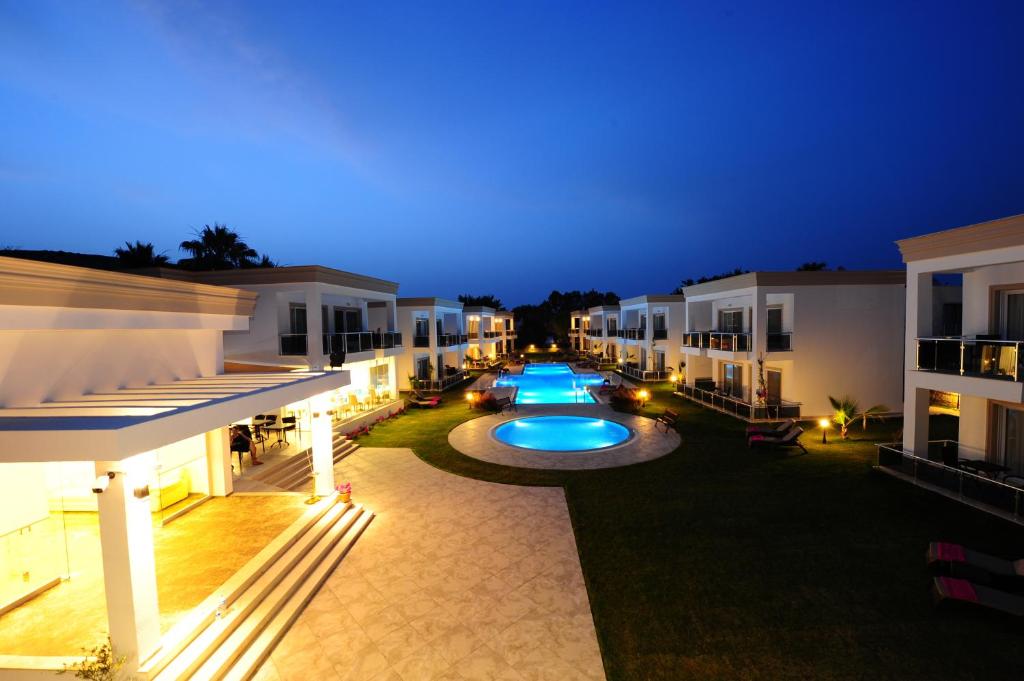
975, 356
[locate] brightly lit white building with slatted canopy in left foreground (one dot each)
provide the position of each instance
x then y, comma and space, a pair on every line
115, 411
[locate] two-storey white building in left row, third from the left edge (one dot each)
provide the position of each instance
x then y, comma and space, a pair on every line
437, 343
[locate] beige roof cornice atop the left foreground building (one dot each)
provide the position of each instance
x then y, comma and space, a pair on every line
33, 283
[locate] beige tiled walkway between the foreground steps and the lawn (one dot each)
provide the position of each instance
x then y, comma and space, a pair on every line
455, 579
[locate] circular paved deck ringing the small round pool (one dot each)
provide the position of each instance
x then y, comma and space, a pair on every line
476, 439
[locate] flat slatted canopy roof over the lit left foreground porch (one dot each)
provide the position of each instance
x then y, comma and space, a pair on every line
114, 425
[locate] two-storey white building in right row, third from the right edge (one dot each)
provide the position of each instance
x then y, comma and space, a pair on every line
651, 336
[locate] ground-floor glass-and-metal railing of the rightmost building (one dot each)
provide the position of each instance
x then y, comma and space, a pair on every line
967, 487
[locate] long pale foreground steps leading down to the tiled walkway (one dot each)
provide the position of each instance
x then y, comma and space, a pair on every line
232, 633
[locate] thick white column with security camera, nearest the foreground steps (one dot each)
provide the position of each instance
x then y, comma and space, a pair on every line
130, 568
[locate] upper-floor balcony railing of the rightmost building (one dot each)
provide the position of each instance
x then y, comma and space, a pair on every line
971, 357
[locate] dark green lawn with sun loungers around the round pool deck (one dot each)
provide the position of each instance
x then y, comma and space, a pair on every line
719, 563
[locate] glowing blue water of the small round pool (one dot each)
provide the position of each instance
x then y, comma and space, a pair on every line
562, 434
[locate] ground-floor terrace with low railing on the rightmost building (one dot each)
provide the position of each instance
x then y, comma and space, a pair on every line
942, 473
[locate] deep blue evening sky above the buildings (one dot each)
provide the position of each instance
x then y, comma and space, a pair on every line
513, 148
